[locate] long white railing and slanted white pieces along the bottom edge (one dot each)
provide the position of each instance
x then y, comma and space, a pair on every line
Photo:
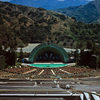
84, 96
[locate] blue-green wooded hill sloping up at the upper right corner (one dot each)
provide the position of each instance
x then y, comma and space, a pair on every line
89, 13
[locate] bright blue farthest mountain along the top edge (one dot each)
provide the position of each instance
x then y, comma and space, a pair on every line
50, 4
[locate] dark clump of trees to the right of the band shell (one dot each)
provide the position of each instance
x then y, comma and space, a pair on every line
88, 56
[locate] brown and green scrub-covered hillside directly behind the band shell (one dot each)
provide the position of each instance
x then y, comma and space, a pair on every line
22, 24
